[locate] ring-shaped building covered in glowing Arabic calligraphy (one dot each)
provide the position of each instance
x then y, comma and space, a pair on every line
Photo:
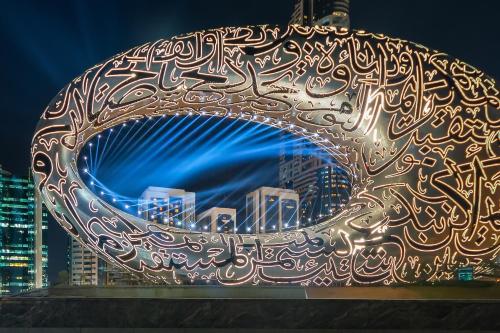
417, 130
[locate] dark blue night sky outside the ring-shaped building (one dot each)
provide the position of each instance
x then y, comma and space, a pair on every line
45, 44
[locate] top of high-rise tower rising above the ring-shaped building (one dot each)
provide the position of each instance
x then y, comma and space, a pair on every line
321, 12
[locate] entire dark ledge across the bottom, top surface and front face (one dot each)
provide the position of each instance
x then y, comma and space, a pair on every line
253, 309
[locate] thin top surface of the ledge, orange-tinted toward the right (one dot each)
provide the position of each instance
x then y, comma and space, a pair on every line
485, 292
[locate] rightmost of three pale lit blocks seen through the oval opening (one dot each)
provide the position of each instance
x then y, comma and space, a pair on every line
270, 209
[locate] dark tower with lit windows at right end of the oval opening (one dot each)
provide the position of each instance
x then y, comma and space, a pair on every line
323, 186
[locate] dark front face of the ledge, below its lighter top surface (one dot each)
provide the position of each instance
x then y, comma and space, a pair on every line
253, 314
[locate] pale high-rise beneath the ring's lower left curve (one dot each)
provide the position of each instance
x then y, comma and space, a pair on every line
83, 265
